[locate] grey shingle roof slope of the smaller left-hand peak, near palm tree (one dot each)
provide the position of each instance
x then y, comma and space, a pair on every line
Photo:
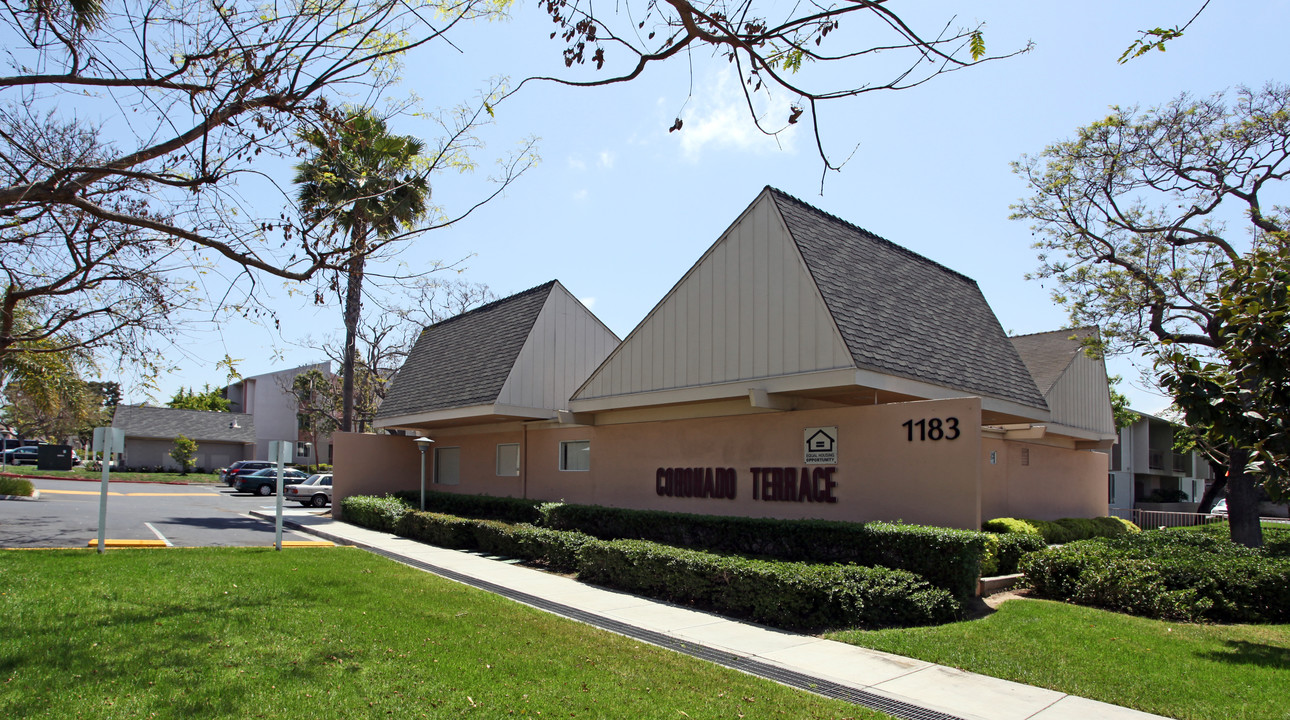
466, 359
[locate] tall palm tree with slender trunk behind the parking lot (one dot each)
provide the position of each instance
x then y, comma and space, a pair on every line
364, 183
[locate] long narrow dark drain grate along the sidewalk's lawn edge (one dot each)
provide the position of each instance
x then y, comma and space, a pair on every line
800, 681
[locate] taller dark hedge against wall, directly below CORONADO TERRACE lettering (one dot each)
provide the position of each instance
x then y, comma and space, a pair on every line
949, 559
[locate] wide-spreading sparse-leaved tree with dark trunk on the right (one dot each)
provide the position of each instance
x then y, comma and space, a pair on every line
1135, 220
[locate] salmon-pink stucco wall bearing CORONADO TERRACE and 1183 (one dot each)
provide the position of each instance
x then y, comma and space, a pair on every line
882, 473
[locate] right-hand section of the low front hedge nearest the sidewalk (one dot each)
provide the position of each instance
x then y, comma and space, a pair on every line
790, 595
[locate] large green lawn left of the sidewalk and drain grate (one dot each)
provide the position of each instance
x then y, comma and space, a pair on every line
328, 633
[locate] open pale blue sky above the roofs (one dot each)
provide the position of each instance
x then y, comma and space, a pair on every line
620, 208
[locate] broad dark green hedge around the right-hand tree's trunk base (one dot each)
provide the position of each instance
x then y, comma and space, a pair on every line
1167, 575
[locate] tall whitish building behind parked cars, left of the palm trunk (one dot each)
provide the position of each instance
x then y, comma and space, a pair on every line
269, 398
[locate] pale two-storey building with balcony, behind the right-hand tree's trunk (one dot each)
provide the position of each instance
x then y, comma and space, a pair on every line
1145, 469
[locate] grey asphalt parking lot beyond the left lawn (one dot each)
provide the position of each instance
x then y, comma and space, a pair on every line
66, 515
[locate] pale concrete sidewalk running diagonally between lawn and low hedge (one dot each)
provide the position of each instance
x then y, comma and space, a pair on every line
901, 687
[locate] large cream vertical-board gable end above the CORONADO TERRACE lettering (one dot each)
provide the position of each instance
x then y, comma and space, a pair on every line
748, 310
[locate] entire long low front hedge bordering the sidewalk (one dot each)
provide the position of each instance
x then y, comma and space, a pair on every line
789, 595
